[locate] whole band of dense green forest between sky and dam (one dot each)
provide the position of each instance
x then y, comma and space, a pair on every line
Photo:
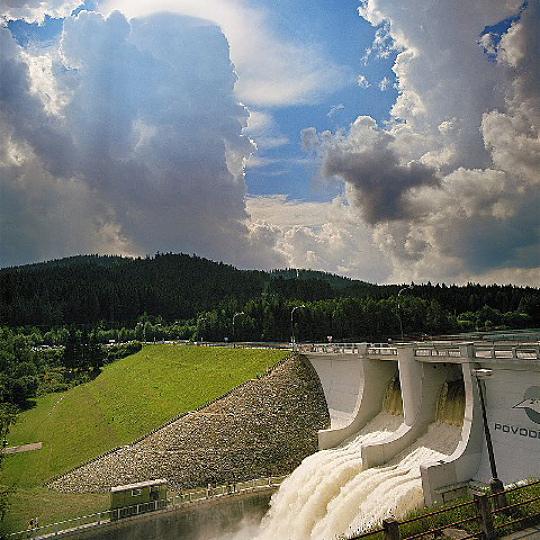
182, 296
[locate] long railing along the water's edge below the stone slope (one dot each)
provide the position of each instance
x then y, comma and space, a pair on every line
173, 502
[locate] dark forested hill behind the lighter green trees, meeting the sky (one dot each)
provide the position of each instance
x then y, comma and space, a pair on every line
90, 288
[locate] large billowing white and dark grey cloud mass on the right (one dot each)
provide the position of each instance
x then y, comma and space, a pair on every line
451, 185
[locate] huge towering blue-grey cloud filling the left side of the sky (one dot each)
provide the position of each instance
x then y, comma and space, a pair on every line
143, 152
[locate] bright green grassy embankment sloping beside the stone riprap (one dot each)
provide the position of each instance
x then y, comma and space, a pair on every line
128, 399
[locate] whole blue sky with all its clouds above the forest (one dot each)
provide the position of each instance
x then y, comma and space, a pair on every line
383, 140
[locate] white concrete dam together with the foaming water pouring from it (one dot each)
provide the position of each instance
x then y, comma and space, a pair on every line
407, 429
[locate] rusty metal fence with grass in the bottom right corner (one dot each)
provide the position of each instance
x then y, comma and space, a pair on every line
486, 517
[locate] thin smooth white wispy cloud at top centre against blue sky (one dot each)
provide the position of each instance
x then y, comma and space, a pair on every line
273, 69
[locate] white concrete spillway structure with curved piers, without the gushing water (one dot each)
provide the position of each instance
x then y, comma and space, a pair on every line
426, 371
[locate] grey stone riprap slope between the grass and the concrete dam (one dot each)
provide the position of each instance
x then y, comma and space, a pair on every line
265, 427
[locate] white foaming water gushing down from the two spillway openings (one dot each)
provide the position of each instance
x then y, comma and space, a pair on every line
330, 494
